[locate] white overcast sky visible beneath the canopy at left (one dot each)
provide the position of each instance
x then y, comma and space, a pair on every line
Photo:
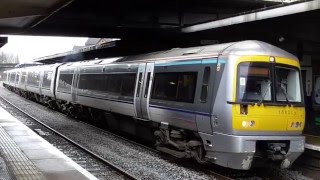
31, 47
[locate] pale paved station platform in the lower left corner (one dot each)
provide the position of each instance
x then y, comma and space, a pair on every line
25, 155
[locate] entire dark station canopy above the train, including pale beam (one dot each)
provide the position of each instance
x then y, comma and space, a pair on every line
163, 24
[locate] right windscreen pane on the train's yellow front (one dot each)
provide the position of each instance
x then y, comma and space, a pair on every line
288, 86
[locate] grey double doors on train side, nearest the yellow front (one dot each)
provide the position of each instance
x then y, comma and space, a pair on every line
142, 92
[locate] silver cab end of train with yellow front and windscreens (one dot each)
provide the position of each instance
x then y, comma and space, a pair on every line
258, 113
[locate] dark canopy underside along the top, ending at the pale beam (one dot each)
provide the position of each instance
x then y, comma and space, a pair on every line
121, 18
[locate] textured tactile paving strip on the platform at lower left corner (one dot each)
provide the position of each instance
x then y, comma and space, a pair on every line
18, 164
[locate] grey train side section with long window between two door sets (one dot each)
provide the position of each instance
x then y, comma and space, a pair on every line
108, 87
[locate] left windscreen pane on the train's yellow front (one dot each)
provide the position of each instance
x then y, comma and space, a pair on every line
254, 82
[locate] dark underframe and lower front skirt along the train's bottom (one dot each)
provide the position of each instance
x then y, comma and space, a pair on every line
241, 152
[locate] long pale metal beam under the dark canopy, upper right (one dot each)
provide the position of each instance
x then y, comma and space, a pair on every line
255, 16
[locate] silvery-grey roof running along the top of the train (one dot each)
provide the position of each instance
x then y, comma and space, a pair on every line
249, 47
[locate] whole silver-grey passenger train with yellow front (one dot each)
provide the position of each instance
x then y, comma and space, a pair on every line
237, 105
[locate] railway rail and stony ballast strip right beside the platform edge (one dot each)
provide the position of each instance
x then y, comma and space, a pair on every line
92, 162
